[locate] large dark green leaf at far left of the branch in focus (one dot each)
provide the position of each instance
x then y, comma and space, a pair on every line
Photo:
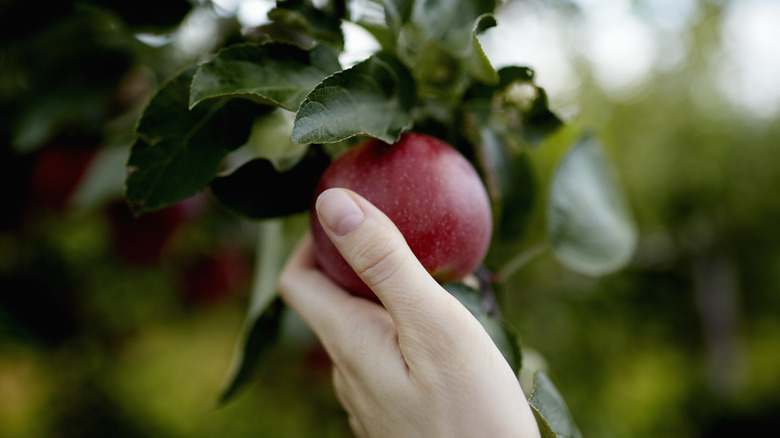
178, 151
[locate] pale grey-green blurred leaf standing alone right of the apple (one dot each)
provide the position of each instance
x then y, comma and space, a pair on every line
588, 221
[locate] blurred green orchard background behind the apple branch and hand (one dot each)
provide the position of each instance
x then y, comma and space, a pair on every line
118, 326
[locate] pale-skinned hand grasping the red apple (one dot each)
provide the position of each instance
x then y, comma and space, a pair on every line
419, 365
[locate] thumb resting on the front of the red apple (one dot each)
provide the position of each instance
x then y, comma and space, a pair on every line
379, 254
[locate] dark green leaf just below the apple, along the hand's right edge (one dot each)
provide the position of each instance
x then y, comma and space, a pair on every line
502, 334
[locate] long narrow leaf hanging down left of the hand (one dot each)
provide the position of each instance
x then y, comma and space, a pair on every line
276, 238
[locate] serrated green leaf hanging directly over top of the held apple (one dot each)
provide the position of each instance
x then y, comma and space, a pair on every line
374, 97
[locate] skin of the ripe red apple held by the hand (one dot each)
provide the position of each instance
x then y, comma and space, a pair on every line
428, 189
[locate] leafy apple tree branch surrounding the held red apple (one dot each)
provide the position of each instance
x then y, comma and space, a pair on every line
258, 120
